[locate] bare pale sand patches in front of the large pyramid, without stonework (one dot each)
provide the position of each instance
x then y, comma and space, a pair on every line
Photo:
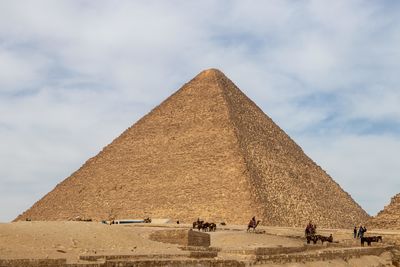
72, 239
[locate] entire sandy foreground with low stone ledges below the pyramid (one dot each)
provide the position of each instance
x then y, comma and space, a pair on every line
73, 240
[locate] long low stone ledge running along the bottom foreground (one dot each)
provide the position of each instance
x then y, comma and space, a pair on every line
203, 257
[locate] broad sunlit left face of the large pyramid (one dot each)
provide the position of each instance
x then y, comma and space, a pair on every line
233, 164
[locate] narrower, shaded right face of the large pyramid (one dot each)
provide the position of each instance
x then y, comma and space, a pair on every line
251, 141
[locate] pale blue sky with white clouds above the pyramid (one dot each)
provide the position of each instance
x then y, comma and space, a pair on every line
75, 74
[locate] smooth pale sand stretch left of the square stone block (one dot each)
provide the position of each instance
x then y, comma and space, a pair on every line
71, 239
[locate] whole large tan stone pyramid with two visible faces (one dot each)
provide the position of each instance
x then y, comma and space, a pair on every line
207, 151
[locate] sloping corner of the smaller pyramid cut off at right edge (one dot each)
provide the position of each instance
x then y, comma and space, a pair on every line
389, 217
